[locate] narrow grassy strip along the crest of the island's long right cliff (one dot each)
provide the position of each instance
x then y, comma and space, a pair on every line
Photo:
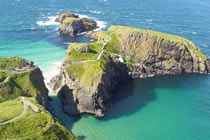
119, 31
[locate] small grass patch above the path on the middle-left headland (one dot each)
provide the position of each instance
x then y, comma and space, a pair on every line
10, 63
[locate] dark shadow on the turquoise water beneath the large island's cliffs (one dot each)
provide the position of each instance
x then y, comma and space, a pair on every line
132, 96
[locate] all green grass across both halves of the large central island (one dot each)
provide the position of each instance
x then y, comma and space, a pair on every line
90, 72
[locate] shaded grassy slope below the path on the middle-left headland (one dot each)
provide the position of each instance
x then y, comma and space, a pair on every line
24, 84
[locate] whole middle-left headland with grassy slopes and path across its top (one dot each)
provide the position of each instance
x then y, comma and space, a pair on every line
20, 77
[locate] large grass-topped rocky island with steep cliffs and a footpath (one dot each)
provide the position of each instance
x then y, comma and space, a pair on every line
129, 53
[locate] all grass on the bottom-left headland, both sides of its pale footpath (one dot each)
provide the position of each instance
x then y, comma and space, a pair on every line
32, 125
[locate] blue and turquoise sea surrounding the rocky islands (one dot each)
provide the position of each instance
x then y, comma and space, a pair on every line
159, 108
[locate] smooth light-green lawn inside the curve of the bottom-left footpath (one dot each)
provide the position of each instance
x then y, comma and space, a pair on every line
10, 110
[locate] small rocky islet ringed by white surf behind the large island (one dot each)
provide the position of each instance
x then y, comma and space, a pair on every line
72, 24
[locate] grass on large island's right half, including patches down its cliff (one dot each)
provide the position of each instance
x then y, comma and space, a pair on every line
122, 33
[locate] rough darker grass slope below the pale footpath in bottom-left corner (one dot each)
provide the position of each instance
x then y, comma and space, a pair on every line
35, 126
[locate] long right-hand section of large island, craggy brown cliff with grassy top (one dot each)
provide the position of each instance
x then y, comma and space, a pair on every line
155, 53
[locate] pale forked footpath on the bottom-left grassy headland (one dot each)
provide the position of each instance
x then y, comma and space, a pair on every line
26, 103
